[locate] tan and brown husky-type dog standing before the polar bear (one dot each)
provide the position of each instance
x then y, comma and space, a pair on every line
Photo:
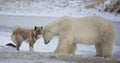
23, 34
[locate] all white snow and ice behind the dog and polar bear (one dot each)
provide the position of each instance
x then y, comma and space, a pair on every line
29, 13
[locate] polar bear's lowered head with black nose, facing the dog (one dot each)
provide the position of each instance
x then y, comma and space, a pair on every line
48, 34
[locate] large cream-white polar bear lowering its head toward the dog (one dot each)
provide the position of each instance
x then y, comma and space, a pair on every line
85, 30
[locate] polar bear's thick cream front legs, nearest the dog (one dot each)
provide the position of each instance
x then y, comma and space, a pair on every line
66, 46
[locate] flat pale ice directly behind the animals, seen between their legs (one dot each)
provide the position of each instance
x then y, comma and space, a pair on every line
7, 22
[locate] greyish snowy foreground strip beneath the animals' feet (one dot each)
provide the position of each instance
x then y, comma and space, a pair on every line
10, 55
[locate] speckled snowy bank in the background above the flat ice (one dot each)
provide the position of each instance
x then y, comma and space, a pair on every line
54, 8
